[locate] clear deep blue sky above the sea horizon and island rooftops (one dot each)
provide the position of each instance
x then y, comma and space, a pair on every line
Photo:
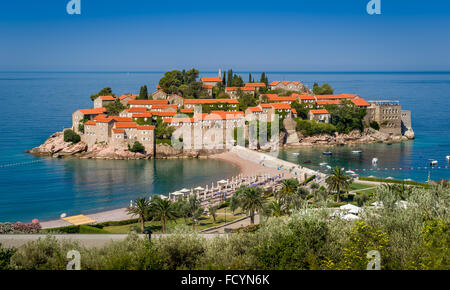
143, 35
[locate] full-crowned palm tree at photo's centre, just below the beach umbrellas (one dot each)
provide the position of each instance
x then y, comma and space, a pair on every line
251, 200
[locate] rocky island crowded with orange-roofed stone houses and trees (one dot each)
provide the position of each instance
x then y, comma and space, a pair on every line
187, 116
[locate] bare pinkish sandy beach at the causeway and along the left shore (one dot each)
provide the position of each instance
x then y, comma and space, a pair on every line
247, 168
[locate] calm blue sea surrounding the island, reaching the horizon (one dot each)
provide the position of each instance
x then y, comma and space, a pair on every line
34, 105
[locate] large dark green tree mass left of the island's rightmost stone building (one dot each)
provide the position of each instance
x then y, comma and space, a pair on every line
346, 117
